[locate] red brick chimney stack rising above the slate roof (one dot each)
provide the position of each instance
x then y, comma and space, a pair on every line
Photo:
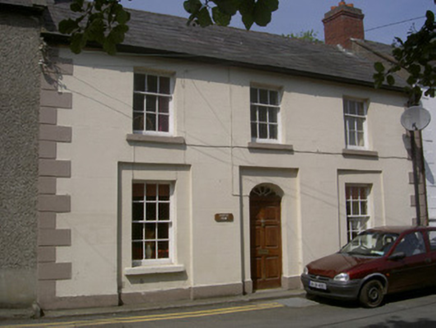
341, 23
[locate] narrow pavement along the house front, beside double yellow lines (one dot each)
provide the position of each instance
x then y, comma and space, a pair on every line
292, 298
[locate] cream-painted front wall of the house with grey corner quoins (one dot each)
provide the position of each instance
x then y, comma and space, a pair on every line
216, 171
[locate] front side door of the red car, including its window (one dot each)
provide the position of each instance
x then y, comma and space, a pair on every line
412, 269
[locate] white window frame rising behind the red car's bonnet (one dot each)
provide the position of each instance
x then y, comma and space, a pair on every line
358, 209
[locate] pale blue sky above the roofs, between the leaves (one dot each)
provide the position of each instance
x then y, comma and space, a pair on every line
384, 19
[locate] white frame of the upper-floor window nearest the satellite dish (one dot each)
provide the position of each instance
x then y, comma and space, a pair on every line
351, 120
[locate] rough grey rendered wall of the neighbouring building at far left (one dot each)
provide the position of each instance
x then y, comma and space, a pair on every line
19, 115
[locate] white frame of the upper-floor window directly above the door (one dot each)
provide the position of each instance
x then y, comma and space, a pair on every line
256, 122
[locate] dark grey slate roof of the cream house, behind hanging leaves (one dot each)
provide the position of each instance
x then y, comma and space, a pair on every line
163, 34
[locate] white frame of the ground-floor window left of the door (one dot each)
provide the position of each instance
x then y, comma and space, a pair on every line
171, 201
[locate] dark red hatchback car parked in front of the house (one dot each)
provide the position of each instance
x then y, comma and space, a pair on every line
377, 262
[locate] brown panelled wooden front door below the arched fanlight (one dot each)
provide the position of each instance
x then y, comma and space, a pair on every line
266, 245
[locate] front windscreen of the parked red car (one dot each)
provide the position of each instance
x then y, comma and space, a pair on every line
374, 244
